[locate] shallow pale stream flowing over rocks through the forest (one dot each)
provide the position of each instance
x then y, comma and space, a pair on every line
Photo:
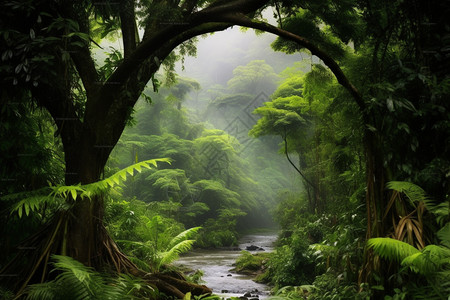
216, 265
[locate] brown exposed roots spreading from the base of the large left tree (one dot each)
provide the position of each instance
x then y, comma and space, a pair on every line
26, 268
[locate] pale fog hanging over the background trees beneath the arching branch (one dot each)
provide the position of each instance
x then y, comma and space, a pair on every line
213, 94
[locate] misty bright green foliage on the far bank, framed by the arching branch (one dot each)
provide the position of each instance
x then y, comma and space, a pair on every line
208, 183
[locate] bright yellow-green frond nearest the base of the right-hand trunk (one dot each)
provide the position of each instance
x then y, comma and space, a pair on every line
391, 249
